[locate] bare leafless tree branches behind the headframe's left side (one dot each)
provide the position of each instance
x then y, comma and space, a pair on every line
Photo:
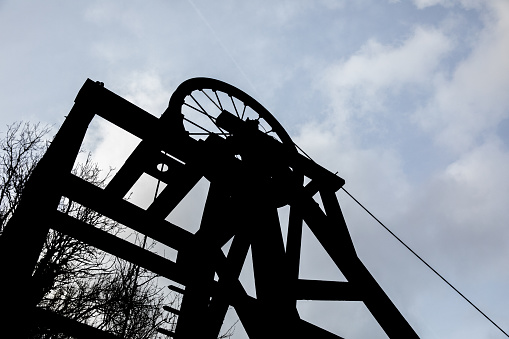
71, 278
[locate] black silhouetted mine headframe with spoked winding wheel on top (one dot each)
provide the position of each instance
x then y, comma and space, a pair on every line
215, 131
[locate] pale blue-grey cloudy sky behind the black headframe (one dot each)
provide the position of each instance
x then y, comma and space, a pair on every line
407, 100
